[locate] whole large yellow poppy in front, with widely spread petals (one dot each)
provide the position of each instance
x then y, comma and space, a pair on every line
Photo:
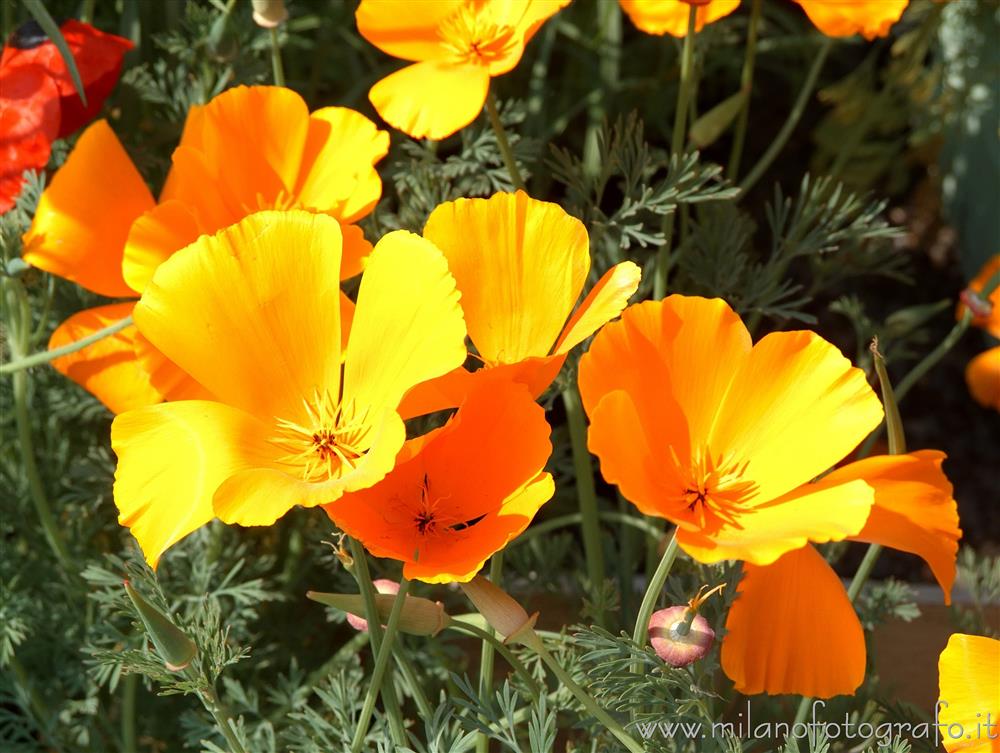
252, 313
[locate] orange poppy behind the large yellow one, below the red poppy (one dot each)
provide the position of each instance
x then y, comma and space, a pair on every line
250, 148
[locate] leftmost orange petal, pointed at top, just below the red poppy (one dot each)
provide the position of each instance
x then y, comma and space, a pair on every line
81, 224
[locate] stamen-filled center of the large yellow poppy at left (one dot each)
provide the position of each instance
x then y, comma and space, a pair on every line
331, 442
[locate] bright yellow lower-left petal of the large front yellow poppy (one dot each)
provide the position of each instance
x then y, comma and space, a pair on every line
171, 459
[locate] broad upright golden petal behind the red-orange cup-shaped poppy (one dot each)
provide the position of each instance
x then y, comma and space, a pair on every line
520, 265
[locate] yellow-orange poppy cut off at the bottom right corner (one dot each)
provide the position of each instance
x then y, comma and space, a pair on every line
969, 705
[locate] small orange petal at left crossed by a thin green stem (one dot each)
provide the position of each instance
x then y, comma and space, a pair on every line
108, 369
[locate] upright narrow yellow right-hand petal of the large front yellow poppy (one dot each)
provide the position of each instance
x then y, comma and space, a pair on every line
408, 325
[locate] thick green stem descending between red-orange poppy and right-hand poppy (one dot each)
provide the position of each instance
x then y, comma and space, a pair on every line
592, 547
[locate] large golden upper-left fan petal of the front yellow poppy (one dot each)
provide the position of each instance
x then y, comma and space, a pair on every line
253, 312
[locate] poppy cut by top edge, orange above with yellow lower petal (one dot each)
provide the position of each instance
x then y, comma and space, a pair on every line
456, 47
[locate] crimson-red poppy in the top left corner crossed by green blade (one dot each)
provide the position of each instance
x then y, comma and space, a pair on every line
38, 101
